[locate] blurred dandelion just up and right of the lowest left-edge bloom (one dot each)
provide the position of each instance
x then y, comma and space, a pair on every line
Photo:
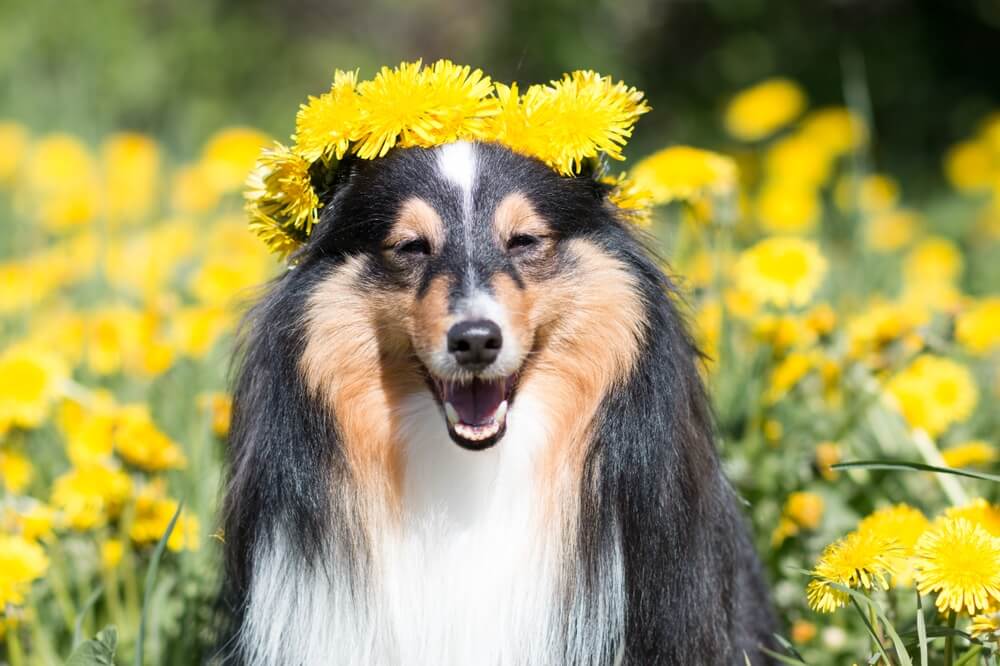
89, 495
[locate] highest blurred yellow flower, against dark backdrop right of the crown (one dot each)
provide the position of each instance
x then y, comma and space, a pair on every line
761, 110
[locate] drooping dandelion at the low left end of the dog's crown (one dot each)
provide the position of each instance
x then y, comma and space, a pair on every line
281, 202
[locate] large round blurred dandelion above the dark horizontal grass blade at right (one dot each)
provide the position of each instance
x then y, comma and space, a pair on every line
932, 393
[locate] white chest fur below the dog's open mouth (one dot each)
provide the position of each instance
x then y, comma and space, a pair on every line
474, 571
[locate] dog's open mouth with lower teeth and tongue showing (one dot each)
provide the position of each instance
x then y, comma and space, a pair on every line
476, 410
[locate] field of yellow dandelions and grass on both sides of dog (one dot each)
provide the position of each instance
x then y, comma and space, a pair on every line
850, 321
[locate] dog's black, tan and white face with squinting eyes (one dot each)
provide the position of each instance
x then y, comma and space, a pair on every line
467, 271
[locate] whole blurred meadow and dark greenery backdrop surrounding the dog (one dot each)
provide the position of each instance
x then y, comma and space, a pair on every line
838, 244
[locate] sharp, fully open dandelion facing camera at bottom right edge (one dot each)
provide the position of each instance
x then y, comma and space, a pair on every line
960, 561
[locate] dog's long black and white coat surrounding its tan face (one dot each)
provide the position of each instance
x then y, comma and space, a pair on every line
654, 567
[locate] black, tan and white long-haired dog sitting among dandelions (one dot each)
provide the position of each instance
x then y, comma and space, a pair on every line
469, 428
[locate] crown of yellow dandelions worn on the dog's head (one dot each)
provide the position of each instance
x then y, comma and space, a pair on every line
566, 124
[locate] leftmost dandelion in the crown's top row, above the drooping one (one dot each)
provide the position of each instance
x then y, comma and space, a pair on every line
325, 124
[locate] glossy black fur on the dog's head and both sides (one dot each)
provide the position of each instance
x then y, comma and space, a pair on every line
652, 479
